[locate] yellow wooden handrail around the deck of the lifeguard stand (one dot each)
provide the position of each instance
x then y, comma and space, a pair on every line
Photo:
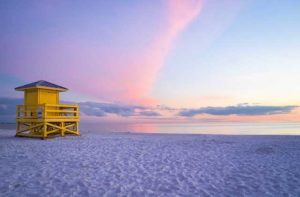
47, 111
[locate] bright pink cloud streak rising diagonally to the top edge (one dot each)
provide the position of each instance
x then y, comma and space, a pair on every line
139, 75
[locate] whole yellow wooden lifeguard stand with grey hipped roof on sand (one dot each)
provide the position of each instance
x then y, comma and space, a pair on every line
42, 115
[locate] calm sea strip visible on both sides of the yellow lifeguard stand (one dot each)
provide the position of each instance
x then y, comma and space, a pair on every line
204, 129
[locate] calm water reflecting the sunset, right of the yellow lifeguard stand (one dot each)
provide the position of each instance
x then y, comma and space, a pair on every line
199, 128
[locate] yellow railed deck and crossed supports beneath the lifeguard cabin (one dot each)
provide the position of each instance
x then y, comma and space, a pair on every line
47, 120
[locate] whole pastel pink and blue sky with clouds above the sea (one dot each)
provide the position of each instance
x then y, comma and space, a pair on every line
160, 60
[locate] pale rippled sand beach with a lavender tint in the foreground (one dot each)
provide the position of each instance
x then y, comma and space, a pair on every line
150, 165
